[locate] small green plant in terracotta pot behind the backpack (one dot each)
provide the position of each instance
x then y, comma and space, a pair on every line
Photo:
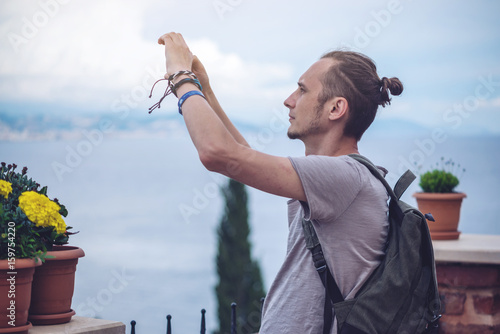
440, 199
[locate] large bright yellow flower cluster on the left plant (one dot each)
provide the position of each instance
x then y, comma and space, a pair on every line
41, 210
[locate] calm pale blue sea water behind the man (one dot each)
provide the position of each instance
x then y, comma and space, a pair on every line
147, 212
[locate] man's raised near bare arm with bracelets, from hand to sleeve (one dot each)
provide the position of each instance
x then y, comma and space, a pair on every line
219, 149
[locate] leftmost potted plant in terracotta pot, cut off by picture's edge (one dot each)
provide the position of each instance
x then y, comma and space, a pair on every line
20, 251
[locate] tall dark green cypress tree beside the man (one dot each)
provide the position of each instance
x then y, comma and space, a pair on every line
240, 279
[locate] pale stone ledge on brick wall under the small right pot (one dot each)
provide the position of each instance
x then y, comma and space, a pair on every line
469, 248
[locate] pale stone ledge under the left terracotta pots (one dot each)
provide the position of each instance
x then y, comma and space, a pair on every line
81, 325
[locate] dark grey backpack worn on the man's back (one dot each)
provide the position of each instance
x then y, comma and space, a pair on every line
401, 295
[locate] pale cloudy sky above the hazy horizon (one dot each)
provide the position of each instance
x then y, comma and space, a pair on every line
74, 58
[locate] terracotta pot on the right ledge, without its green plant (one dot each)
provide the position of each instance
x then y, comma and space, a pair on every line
445, 208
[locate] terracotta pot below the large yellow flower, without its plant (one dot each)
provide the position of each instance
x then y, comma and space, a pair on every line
53, 286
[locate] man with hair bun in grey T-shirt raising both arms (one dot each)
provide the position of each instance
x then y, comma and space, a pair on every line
335, 102
